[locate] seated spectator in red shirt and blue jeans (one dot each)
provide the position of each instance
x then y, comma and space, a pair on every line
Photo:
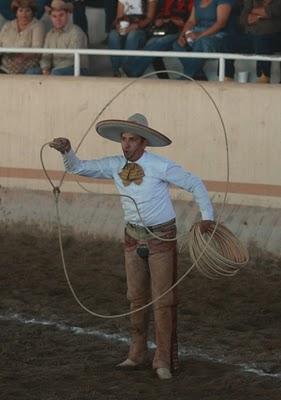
169, 21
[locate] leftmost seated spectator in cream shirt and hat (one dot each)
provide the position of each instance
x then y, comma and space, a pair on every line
24, 31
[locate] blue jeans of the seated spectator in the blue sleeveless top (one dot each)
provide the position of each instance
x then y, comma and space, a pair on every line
206, 44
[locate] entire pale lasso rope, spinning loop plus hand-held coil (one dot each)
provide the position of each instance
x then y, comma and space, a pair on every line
215, 254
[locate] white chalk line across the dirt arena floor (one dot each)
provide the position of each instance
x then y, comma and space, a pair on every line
183, 352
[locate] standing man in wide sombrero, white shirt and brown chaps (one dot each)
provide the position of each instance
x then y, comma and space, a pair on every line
151, 264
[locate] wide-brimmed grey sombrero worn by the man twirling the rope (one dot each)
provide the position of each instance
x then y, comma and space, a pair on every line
136, 124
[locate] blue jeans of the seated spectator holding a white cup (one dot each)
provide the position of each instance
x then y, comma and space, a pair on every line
133, 41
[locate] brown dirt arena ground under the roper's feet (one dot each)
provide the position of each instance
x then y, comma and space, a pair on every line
229, 330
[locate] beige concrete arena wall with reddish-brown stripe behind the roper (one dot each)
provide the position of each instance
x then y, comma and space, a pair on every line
36, 109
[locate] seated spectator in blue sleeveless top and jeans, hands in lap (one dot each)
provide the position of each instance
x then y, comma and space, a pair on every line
204, 31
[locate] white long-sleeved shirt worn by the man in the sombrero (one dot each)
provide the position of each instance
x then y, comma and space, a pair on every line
152, 195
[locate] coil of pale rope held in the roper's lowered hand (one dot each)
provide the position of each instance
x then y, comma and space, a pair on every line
216, 253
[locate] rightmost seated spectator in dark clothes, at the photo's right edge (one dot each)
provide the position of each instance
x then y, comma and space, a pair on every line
262, 23
